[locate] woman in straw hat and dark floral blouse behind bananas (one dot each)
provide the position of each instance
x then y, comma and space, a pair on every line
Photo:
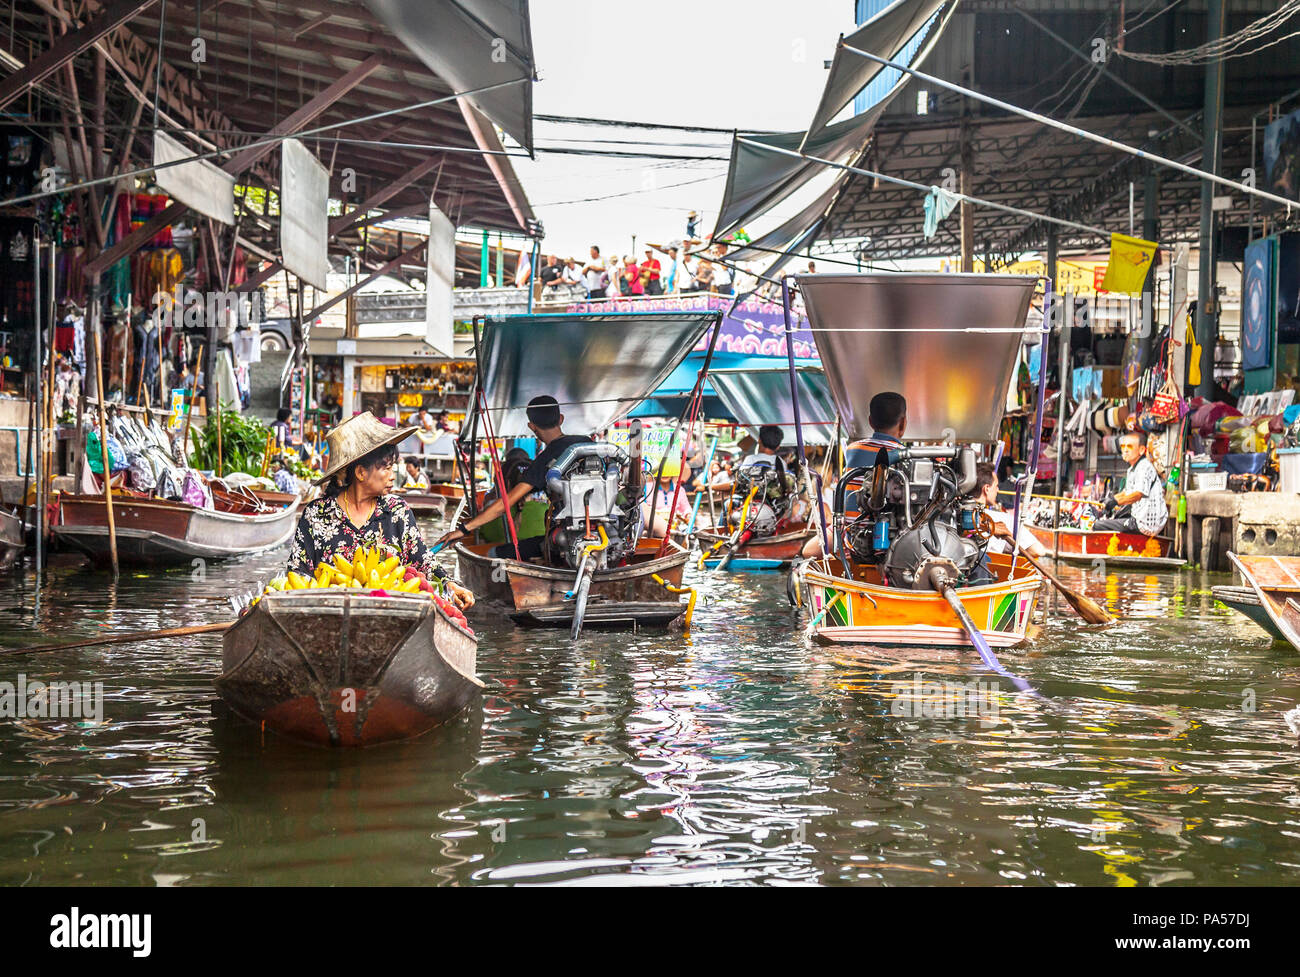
359, 509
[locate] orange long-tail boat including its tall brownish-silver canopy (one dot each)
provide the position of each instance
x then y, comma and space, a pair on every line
951, 342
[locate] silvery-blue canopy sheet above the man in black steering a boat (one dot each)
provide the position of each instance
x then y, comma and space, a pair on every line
597, 367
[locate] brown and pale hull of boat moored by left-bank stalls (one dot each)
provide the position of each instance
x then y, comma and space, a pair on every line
157, 533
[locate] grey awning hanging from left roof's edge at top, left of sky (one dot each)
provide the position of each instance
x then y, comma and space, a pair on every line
474, 45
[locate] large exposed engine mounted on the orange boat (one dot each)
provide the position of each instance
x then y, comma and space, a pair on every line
915, 522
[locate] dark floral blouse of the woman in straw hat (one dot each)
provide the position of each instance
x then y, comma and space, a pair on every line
324, 532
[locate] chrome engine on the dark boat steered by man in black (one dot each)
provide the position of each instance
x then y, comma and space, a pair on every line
590, 527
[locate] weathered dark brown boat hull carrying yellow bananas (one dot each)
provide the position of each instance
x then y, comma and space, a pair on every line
340, 668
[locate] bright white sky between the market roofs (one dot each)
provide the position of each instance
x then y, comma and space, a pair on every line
735, 64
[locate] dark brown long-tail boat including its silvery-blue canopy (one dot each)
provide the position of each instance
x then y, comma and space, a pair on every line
600, 368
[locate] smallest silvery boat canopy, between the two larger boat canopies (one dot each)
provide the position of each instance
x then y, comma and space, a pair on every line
762, 396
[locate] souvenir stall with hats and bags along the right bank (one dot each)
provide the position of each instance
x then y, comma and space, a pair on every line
1240, 440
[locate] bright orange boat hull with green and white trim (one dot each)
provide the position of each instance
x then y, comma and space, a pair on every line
861, 611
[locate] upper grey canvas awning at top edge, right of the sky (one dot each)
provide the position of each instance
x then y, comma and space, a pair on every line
889, 36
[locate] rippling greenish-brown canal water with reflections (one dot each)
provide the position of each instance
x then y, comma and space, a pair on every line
738, 755
